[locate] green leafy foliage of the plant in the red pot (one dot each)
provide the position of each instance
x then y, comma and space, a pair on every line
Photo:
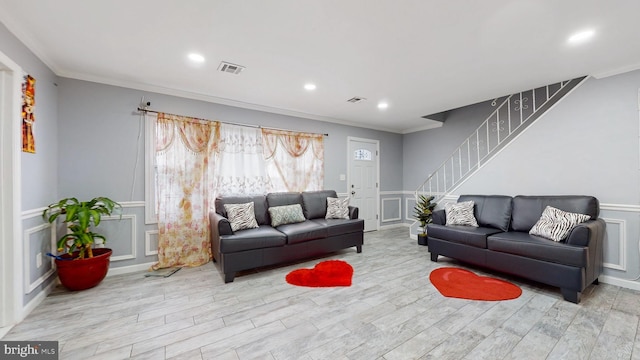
80, 217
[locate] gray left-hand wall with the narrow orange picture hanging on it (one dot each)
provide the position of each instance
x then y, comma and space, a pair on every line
38, 171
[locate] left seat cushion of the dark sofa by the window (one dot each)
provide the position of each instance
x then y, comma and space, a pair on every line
261, 237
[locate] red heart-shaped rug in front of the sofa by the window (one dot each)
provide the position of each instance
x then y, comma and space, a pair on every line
325, 274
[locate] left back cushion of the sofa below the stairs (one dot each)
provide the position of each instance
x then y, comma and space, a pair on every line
491, 210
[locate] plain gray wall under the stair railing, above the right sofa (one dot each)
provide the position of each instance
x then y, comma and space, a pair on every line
587, 144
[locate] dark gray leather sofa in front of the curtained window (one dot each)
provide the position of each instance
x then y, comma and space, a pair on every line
265, 245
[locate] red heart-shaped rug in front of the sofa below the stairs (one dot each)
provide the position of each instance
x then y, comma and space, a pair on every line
463, 284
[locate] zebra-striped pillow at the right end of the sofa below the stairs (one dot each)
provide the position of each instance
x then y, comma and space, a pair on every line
555, 224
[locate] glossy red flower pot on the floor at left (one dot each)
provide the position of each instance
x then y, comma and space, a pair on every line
81, 274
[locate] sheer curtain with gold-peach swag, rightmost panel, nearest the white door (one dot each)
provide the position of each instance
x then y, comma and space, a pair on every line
294, 161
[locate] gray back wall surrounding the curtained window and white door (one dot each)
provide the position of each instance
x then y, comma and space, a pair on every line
98, 135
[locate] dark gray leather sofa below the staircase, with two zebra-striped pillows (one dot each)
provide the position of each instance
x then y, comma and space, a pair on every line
502, 241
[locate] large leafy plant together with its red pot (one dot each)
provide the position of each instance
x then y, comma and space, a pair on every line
81, 266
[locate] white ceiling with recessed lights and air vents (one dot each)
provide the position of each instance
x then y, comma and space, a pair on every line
421, 56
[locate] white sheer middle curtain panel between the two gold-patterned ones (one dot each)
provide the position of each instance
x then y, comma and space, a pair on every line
239, 166
